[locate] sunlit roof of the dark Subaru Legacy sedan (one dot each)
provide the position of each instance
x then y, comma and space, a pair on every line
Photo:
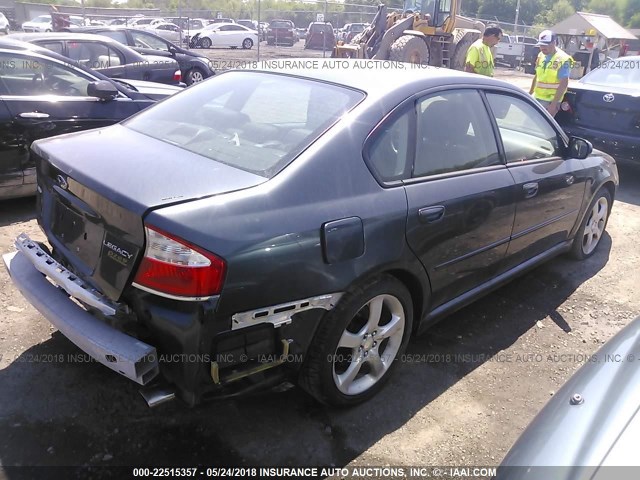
390, 75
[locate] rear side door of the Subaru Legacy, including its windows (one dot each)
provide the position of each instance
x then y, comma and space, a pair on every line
460, 195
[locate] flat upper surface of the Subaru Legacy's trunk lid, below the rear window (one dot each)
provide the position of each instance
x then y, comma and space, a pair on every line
136, 171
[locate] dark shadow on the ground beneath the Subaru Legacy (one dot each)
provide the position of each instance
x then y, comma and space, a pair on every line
55, 411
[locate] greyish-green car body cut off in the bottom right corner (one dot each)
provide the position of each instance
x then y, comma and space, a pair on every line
598, 409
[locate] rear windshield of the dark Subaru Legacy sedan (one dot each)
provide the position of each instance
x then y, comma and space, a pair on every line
257, 122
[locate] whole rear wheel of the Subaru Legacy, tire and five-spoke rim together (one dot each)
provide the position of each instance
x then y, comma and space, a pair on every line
344, 364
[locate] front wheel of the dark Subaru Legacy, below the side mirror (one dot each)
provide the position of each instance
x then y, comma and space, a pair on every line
593, 226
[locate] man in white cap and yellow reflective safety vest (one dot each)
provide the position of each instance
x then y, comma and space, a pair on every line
553, 67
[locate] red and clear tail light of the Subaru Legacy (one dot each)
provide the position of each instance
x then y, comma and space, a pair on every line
172, 266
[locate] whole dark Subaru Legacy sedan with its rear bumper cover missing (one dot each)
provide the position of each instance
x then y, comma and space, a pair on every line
300, 224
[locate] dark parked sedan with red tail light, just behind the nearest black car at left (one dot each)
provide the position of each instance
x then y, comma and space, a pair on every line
107, 56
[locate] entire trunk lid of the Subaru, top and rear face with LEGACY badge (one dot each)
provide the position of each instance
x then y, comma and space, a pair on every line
97, 186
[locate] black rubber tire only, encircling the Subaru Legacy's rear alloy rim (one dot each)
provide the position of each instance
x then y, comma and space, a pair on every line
330, 331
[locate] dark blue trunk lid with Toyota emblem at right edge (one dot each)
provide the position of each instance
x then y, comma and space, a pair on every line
603, 108
